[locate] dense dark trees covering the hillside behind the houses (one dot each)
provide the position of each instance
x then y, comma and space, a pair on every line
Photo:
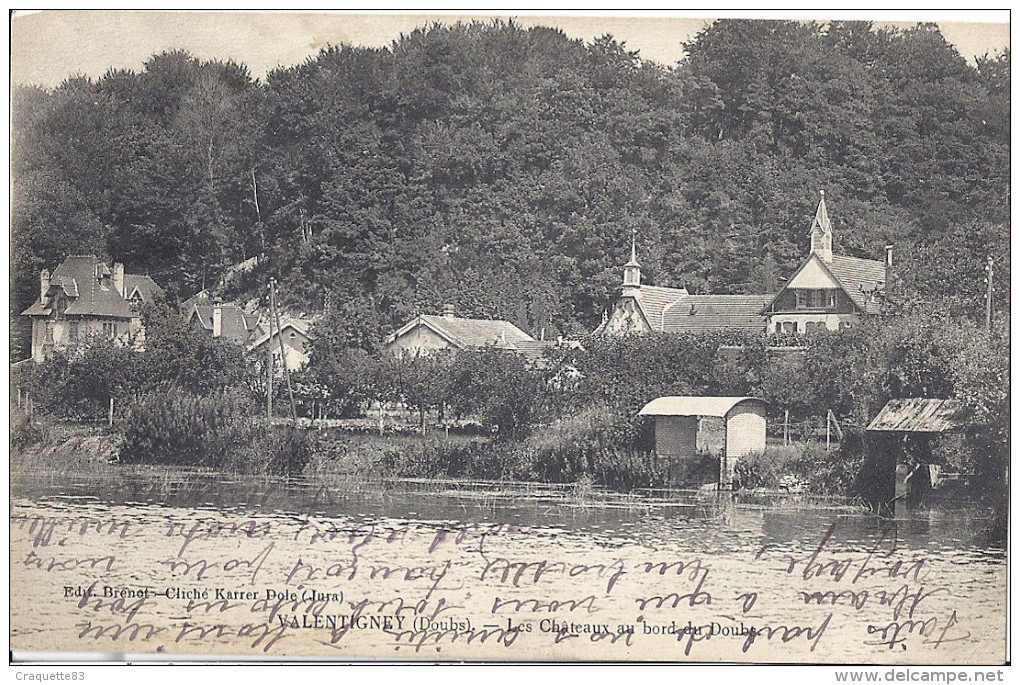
503, 170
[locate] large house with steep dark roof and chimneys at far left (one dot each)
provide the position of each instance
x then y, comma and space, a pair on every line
83, 298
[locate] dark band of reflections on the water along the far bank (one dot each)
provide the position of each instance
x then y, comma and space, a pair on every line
700, 519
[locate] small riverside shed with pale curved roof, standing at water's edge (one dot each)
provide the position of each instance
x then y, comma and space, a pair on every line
677, 428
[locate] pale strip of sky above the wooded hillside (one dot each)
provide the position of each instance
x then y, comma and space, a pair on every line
48, 47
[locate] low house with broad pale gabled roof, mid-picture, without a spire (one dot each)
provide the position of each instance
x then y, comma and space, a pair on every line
428, 334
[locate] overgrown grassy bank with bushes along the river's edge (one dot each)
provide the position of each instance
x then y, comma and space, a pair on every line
595, 450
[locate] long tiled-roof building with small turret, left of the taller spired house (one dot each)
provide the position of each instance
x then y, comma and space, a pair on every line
644, 309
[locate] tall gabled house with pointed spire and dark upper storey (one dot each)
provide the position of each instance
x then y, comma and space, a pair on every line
829, 292
